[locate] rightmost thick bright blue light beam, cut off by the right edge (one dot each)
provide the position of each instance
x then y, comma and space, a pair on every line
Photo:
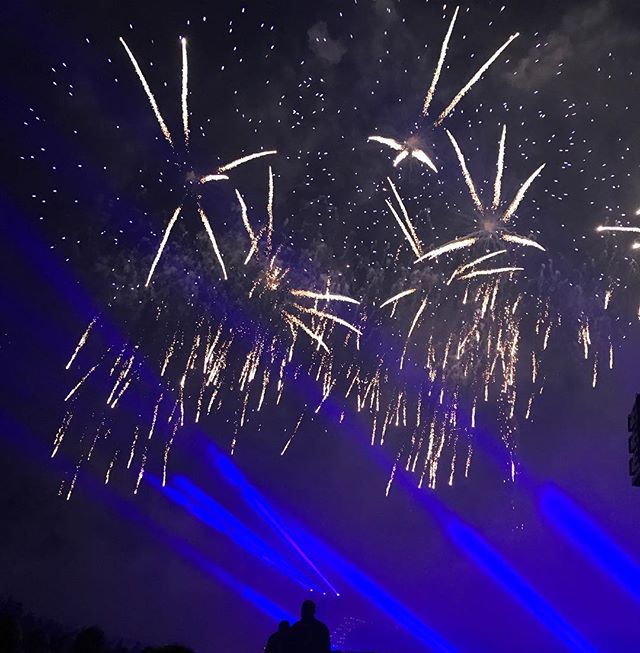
575, 524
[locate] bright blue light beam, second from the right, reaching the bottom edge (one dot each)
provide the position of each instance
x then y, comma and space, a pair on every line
493, 564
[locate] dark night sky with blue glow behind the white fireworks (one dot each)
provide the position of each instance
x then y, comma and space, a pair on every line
532, 546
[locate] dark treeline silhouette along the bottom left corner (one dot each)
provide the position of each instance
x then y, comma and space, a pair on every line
22, 632
